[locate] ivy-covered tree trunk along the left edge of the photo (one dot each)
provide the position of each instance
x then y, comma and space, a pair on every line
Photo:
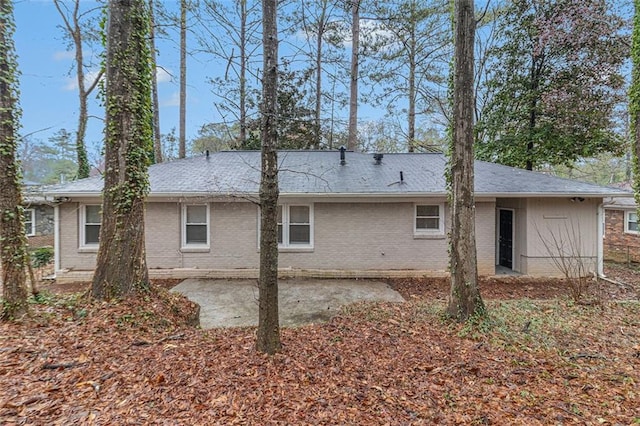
12, 240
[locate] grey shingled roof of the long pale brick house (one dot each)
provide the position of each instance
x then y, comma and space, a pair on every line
320, 173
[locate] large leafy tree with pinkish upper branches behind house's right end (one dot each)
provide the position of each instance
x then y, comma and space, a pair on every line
555, 85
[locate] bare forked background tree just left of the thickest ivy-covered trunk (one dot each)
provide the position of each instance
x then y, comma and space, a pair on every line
74, 29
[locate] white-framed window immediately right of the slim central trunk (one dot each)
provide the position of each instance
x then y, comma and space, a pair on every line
294, 226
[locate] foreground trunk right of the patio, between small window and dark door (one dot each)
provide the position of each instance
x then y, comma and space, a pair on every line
465, 300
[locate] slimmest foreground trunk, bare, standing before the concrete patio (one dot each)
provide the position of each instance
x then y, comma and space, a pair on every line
268, 335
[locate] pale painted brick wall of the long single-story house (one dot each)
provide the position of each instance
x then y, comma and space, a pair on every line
347, 236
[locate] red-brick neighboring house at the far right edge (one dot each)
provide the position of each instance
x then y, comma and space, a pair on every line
621, 234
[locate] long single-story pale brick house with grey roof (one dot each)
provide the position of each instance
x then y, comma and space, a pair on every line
365, 216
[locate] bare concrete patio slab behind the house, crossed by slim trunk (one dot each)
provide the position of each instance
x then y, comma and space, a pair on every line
234, 303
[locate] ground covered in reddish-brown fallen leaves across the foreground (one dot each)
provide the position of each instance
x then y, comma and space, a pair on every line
138, 362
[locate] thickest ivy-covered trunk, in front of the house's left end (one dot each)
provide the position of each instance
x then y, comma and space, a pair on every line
121, 266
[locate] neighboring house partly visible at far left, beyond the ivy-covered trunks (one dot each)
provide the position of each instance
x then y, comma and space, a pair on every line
38, 216
